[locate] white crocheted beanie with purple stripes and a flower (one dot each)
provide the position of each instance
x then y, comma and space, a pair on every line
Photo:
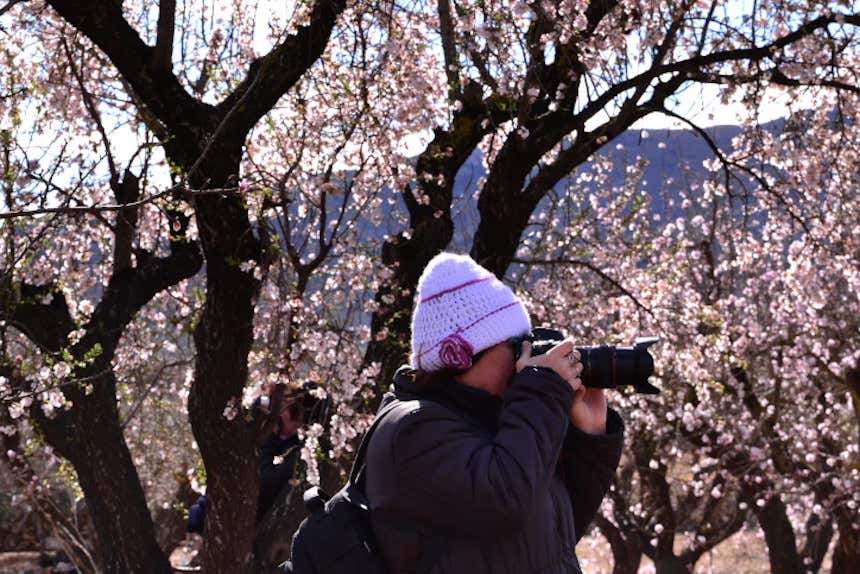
460, 310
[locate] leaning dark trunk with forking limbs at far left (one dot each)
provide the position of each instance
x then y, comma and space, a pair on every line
88, 433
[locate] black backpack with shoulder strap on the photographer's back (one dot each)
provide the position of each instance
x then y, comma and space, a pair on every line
336, 538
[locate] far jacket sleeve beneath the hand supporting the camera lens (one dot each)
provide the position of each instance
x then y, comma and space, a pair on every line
588, 464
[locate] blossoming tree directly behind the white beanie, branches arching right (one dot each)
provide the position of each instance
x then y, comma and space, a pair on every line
541, 88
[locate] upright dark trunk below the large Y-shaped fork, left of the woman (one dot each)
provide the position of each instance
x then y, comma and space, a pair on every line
223, 339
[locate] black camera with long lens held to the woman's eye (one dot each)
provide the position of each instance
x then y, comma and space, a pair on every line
603, 366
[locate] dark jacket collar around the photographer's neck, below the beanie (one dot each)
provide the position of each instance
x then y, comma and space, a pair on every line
474, 403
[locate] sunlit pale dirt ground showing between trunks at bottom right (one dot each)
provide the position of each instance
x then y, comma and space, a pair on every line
744, 553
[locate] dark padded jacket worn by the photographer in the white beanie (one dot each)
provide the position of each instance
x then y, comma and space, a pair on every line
477, 484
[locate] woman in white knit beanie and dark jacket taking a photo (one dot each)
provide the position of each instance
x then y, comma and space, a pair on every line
487, 464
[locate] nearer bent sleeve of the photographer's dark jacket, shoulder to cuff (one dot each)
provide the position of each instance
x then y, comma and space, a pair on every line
466, 479
